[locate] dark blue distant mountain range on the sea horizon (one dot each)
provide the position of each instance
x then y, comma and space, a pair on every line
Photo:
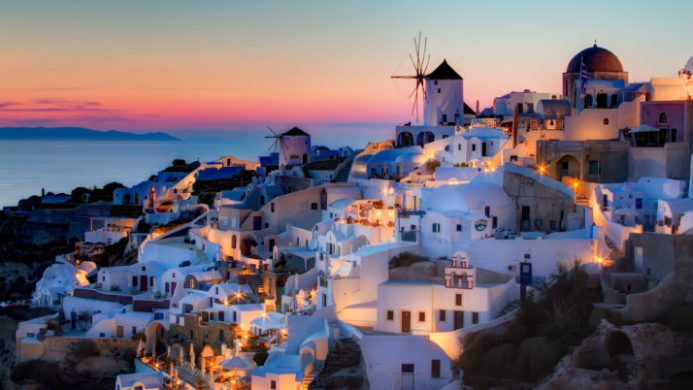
78, 134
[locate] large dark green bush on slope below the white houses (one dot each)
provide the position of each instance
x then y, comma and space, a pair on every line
540, 335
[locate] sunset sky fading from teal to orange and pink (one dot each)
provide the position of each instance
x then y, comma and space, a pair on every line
223, 65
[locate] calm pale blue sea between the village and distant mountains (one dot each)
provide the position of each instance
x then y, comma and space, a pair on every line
27, 167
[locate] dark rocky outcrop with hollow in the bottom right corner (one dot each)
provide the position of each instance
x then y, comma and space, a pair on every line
648, 355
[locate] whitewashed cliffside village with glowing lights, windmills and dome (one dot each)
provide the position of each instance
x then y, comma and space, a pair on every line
403, 248
